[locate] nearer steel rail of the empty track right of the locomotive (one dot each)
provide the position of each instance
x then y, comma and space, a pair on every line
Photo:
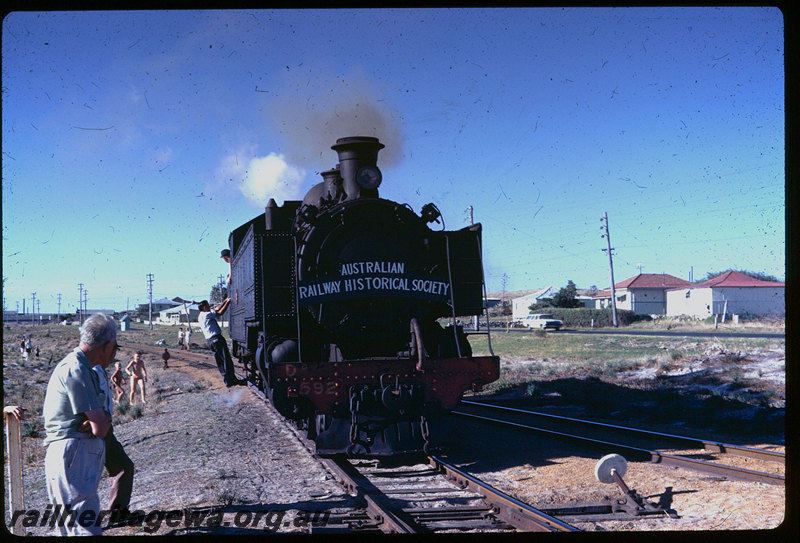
655, 457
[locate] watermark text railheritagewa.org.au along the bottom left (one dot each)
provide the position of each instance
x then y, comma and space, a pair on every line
267, 520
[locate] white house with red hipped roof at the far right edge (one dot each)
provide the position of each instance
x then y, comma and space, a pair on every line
732, 293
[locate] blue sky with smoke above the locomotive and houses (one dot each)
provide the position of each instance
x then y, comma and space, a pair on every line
134, 142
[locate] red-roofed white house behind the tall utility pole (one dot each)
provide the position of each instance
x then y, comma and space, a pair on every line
644, 294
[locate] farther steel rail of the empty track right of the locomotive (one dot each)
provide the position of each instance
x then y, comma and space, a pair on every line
714, 446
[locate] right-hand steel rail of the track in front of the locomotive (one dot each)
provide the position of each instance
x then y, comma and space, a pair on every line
511, 510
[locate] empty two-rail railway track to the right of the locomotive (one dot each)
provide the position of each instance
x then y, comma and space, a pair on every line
743, 463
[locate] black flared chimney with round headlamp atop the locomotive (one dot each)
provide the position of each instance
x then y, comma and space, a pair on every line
358, 159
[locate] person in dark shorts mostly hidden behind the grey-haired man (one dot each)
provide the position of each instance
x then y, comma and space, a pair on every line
118, 463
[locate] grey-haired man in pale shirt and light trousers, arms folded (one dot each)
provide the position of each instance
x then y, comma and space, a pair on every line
76, 424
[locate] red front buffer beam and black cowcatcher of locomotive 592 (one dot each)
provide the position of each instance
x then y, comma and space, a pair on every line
377, 407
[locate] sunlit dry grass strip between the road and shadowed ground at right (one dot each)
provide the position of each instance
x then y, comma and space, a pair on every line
631, 361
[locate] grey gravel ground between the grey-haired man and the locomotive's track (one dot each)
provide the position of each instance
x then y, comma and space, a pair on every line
205, 447
